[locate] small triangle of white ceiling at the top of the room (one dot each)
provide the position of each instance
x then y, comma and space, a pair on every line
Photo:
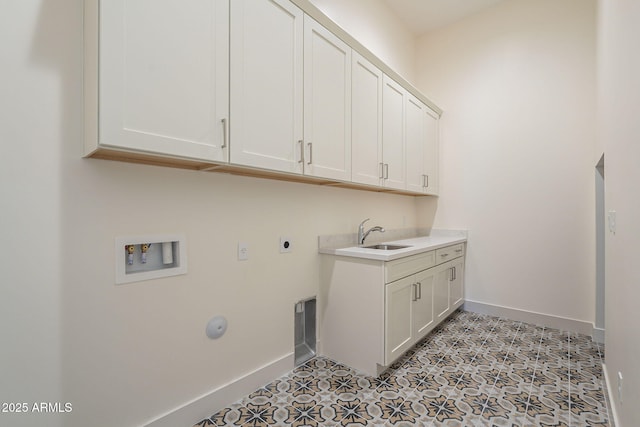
422, 16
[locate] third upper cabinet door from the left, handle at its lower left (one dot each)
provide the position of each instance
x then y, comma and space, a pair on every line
327, 103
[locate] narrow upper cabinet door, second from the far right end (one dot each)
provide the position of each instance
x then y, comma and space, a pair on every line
415, 143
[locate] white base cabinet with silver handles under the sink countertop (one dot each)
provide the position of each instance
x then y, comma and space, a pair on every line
376, 310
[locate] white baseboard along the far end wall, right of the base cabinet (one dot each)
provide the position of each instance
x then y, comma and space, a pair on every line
541, 319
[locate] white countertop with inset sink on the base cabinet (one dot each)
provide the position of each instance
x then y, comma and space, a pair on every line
435, 240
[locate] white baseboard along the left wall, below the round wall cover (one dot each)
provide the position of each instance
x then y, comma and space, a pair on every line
206, 405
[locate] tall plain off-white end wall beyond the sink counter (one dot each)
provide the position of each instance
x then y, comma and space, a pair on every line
517, 86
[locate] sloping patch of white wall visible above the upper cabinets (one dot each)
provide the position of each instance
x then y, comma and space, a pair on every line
376, 26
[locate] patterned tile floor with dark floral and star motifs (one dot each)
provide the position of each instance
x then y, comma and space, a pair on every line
473, 370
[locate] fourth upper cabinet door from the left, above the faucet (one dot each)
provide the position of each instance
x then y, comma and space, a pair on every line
366, 122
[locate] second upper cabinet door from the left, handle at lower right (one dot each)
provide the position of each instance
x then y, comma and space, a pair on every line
266, 84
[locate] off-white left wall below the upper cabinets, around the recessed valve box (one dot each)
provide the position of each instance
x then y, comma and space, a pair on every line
123, 355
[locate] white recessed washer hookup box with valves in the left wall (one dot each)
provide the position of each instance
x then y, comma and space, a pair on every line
150, 257
